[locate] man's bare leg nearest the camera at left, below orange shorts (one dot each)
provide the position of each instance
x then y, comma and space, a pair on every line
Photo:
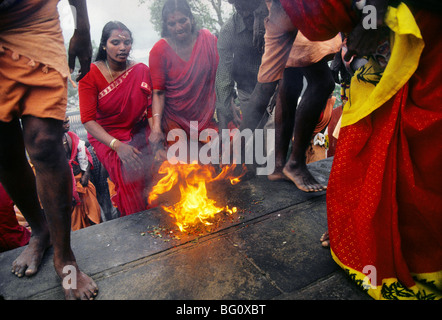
43, 141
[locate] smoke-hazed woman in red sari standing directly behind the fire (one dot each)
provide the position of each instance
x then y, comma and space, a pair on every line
183, 66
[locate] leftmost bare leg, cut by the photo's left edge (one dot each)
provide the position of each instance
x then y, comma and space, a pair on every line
18, 180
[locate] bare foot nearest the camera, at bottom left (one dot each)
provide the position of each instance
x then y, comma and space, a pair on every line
76, 284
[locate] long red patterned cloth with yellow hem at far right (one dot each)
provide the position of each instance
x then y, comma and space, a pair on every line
384, 198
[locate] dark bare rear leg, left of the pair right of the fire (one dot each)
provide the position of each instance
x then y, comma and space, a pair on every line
290, 88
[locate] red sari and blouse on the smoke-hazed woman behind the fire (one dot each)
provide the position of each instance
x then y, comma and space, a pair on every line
189, 86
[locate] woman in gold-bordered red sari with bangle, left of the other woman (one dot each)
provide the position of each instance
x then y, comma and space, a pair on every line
115, 102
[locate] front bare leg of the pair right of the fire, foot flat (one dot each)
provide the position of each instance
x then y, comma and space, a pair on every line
320, 86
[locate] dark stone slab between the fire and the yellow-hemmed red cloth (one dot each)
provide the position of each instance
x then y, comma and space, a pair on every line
286, 245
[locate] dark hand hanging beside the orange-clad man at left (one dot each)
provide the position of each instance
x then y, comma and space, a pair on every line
80, 47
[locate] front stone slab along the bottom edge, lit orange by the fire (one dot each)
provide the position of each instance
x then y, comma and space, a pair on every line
210, 269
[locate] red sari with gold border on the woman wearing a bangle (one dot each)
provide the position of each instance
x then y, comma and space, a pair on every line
122, 110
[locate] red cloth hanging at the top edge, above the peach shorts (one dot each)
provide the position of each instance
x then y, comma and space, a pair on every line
320, 20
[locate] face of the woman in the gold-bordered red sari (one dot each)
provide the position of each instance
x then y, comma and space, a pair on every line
118, 46
